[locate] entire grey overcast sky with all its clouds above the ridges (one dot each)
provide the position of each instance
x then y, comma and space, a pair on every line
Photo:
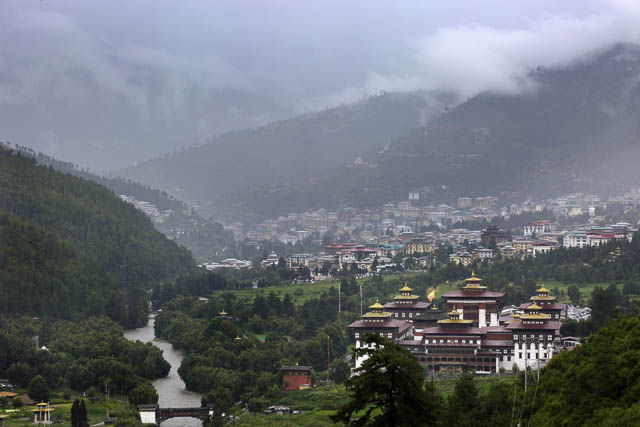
106, 83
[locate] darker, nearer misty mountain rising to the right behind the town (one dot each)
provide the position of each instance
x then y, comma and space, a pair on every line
578, 131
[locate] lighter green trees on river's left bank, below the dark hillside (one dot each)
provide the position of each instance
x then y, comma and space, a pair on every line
78, 356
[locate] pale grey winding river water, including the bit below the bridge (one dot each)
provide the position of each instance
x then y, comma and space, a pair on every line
171, 390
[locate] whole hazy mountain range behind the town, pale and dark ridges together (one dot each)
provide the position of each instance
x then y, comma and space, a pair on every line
576, 131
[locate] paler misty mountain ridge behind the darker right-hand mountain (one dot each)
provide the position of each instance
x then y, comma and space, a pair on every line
289, 151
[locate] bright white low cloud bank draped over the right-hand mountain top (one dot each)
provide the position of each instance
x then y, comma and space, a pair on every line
468, 59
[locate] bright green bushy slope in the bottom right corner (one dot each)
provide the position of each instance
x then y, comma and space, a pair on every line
597, 383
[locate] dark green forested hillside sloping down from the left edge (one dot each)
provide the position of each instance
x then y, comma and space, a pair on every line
71, 248
